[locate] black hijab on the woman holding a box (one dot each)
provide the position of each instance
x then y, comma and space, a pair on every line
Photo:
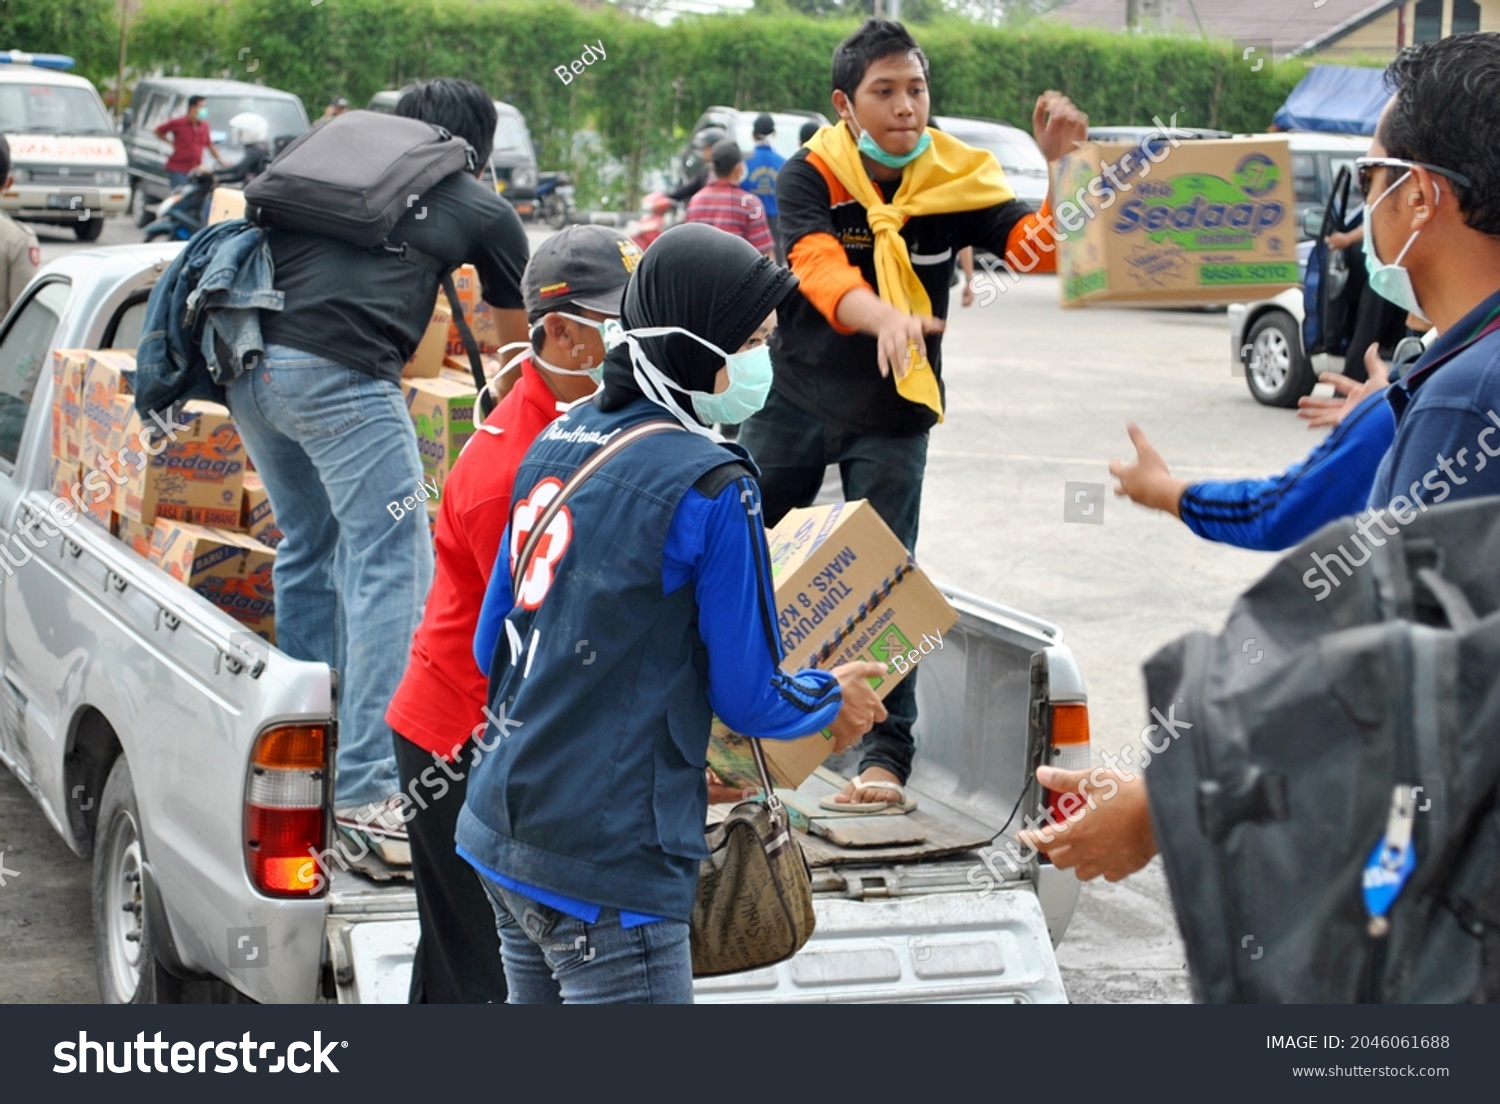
703, 280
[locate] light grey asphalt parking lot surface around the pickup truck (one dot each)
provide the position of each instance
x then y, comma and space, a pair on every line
1039, 401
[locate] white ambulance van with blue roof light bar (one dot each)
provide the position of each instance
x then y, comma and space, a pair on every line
67, 160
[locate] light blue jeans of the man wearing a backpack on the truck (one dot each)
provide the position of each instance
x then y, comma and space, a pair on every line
335, 448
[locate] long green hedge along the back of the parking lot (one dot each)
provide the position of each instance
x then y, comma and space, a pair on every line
655, 80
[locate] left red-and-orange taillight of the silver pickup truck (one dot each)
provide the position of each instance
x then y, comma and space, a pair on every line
284, 802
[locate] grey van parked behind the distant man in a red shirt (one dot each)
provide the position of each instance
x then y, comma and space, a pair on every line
161, 98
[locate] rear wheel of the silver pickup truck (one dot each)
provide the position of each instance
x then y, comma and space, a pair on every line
124, 938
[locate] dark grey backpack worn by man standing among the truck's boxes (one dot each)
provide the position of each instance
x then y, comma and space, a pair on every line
353, 178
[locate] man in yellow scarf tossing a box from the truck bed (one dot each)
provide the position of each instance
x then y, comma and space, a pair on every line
874, 214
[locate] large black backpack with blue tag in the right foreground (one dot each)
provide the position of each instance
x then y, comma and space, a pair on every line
1313, 734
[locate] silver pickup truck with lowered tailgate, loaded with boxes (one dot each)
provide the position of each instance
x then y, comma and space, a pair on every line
179, 757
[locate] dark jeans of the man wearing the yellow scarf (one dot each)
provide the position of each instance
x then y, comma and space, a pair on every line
793, 451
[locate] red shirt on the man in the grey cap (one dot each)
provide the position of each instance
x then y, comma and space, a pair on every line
442, 697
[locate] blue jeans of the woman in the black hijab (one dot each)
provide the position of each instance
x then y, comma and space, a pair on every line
556, 959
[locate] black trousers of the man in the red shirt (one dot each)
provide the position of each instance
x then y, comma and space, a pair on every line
458, 956
